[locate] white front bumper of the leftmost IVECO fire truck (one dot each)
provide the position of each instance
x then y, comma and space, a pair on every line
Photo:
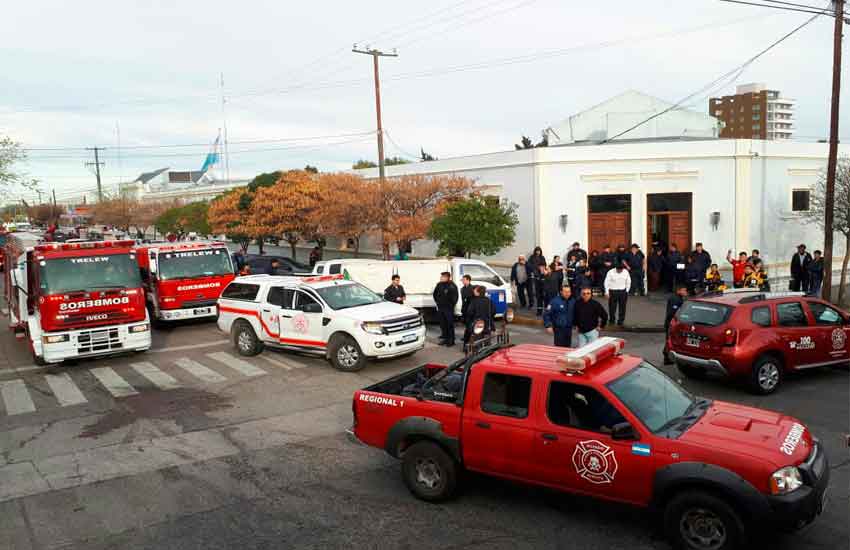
98, 341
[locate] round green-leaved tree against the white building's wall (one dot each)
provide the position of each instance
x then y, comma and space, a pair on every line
475, 225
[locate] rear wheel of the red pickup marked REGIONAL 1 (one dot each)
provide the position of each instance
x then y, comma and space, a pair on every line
429, 472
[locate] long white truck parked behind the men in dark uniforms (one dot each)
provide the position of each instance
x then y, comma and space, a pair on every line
419, 277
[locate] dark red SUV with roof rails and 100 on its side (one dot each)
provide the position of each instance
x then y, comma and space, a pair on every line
758, 336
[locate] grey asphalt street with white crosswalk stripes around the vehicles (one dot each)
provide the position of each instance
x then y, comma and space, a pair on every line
190, 446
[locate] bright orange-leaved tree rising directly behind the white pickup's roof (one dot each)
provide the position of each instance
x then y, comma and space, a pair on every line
289, 208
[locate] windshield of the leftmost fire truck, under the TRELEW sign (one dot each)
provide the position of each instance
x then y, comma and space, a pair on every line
89, 273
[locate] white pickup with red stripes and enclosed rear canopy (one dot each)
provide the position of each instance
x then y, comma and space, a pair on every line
327, 315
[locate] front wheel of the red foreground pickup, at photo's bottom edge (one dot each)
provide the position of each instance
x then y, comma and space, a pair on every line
700, 521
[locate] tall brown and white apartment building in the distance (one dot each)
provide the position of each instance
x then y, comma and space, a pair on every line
754, 112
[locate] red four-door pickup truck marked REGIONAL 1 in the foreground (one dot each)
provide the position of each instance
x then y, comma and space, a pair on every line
596, 422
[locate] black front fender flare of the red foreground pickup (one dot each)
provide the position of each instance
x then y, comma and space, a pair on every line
698, 475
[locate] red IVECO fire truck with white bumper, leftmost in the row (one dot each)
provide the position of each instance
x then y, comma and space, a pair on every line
75, 299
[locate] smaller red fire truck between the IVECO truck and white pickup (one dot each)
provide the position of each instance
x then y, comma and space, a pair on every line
183, 280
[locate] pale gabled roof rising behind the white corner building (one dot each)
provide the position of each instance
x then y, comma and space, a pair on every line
624, 113
